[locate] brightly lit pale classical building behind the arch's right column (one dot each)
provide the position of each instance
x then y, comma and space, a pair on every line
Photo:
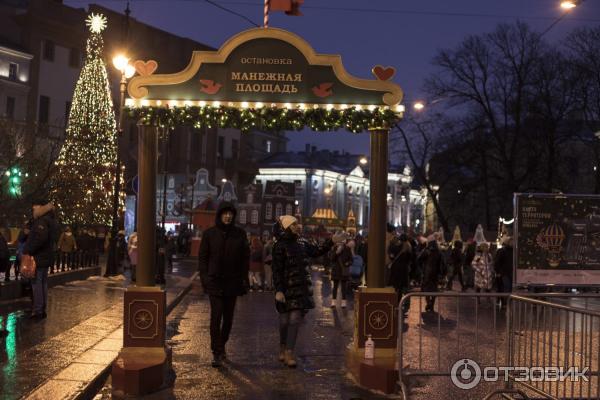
339, 181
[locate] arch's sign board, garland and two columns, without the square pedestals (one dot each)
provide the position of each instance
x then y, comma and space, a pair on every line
272, 80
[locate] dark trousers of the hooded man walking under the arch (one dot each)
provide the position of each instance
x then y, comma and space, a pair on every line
221, 321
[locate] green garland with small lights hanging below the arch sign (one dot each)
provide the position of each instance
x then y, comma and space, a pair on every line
266, 119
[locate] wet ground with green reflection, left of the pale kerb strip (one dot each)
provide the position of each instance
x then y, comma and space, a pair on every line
35, 350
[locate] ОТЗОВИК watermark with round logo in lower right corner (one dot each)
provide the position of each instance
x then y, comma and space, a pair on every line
466, 374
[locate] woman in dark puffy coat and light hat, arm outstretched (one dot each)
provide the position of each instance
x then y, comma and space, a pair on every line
291, 278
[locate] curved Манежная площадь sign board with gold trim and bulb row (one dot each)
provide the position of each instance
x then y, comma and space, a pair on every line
264, 66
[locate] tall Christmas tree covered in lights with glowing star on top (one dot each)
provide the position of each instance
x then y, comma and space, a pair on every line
85, 168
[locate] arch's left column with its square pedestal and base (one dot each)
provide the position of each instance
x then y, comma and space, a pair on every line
144, 360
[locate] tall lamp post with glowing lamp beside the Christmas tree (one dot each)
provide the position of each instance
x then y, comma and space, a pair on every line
121, 63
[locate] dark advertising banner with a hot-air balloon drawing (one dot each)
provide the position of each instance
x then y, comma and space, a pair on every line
557, 239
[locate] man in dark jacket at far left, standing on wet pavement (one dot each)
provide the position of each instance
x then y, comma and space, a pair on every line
40, 244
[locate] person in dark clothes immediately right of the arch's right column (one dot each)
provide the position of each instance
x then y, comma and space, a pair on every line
400, 252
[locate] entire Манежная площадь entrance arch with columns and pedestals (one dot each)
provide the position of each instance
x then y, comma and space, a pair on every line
265, 79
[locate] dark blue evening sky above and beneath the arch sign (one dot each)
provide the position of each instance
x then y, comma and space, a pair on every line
401, 33
